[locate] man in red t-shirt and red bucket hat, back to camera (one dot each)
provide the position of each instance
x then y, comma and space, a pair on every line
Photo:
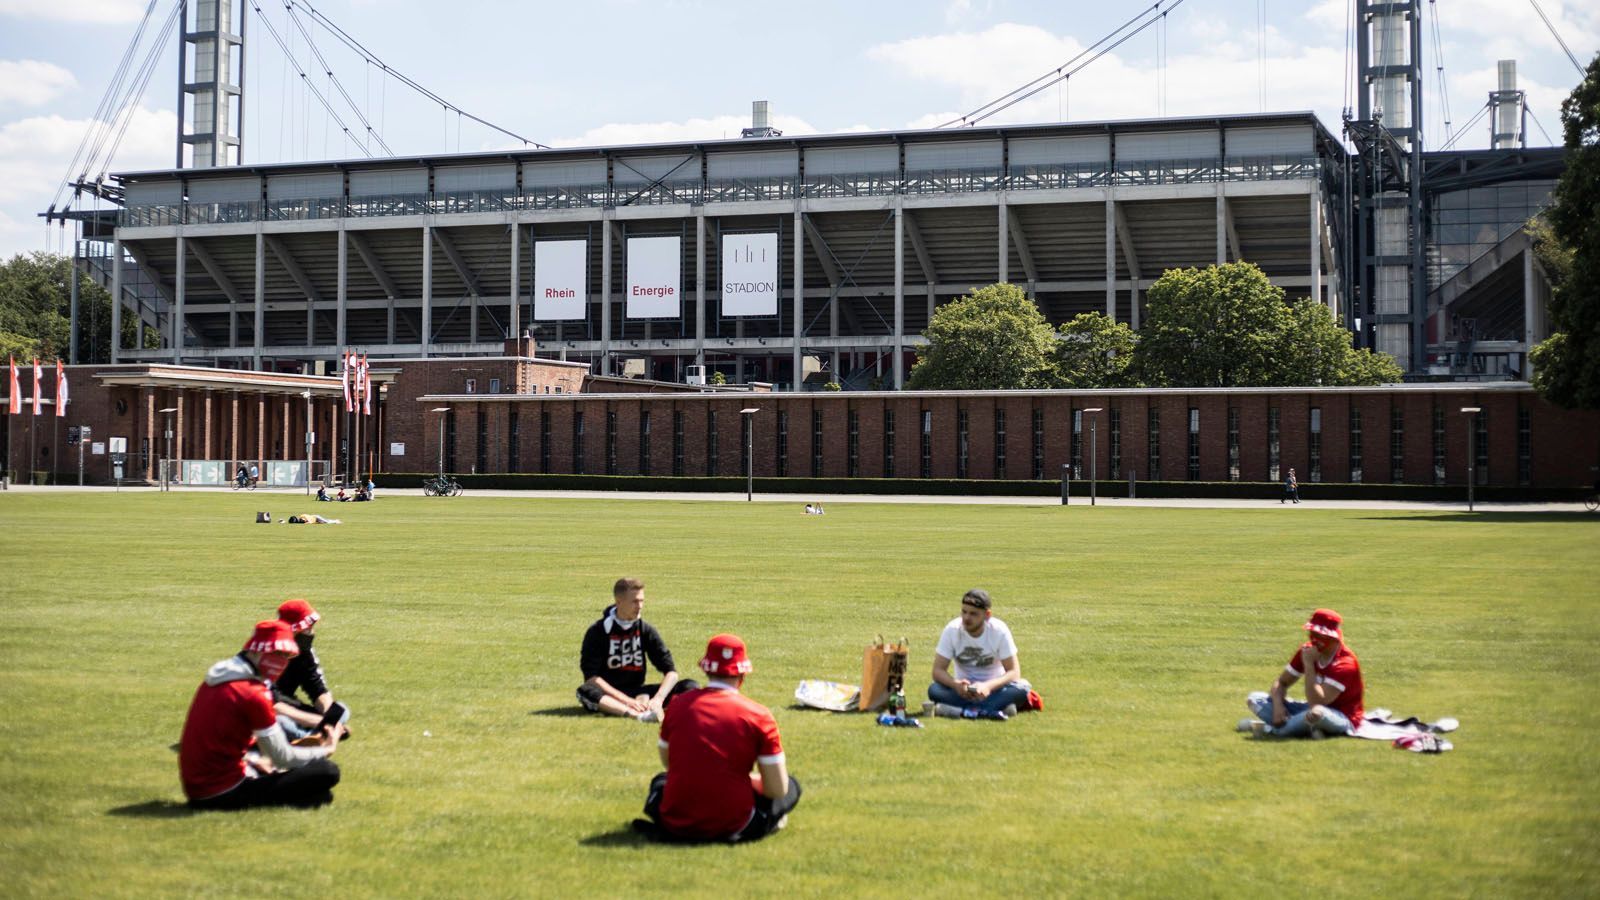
711, 741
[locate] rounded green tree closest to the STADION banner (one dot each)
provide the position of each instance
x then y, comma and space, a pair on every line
993, 339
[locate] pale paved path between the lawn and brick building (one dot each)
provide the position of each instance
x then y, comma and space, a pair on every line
847, 499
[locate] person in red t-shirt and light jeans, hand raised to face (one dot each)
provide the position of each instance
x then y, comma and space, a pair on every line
1334, 691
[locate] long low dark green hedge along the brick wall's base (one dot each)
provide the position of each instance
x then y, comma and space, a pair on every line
972, 488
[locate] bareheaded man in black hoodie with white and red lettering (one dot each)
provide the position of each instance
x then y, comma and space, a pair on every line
614, 661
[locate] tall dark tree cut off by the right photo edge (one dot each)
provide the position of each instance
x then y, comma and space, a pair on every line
1567, 366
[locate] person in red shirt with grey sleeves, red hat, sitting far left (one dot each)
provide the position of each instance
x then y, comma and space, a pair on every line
231, 709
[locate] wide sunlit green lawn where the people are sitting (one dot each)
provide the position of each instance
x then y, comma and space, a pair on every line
1143, 629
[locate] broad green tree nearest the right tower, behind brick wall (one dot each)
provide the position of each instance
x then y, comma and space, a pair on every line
1230, 327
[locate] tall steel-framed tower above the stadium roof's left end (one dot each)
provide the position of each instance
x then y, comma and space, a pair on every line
212, 82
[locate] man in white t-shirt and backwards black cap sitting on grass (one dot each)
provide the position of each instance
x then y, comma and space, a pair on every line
988, 681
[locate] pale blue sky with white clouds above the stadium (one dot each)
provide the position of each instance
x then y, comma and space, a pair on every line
642, 71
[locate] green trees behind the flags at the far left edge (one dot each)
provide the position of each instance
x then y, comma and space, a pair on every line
36, 310
